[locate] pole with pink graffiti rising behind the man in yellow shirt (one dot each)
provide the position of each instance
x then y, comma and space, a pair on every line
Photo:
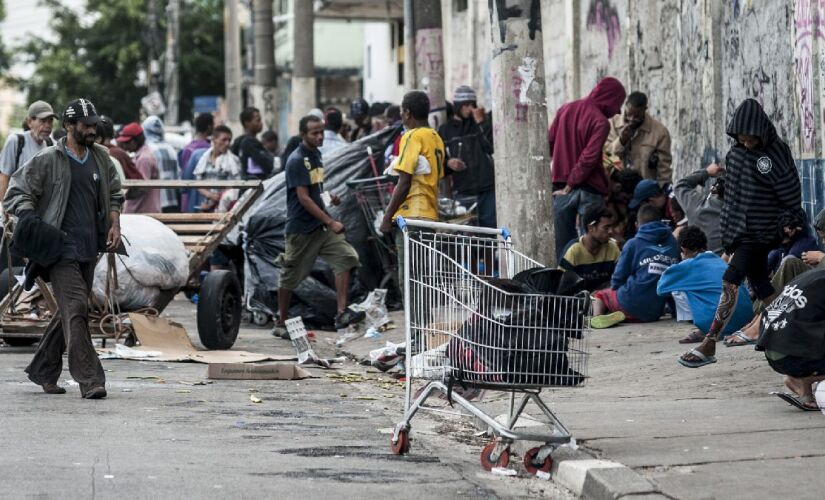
429, 57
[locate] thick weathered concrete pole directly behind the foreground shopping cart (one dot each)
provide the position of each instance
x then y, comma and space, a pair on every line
522, 157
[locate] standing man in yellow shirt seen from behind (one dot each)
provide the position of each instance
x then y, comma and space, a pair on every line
416, 194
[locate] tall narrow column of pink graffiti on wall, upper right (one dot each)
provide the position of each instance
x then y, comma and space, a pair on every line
807, 30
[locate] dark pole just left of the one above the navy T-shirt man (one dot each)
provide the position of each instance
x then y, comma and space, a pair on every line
263, 92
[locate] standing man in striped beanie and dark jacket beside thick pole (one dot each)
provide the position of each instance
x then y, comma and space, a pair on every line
468, 138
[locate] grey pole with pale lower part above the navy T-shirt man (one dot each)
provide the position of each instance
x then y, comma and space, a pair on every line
303, 62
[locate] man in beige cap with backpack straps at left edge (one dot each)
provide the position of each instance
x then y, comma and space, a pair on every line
20, 147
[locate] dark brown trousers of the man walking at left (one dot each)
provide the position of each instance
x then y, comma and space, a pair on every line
69, 330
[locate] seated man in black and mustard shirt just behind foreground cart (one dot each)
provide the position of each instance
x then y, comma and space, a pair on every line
593, 256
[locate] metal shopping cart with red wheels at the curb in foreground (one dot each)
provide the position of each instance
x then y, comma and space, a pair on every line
474, 322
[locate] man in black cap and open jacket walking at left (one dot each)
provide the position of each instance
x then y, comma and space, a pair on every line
71, 190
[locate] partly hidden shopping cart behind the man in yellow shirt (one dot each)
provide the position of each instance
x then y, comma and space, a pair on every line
373, 195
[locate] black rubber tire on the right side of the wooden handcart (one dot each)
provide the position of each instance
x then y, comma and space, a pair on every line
219, 310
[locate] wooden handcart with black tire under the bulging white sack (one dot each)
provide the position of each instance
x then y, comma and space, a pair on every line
219, 308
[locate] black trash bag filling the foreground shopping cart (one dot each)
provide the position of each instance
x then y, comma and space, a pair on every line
520, 336
